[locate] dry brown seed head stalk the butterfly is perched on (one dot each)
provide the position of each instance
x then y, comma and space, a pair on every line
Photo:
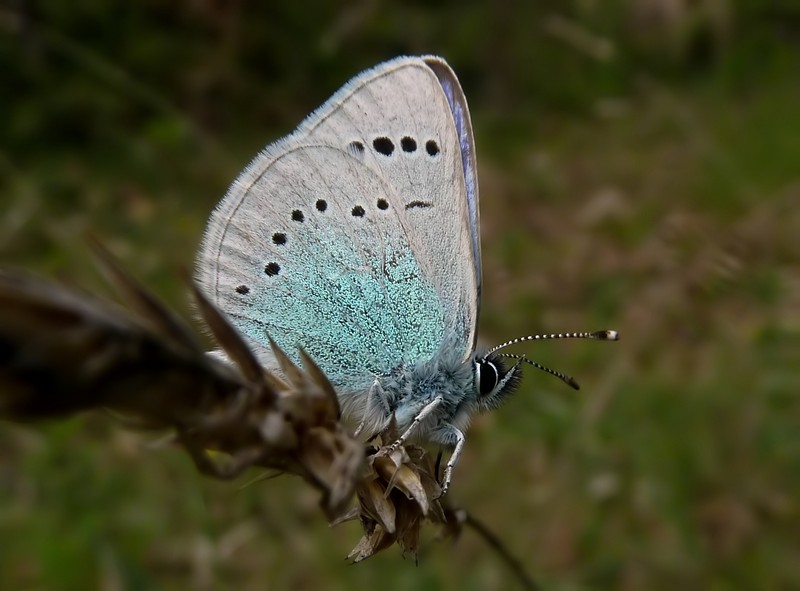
62, 352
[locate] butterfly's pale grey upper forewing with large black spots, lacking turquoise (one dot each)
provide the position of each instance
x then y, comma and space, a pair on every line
408, 120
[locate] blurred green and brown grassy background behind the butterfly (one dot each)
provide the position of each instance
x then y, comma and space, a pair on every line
640, 170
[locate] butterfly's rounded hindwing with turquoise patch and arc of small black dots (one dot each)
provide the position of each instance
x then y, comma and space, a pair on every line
308, 248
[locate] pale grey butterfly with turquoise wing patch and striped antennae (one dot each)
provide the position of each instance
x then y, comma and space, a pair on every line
356, 237
